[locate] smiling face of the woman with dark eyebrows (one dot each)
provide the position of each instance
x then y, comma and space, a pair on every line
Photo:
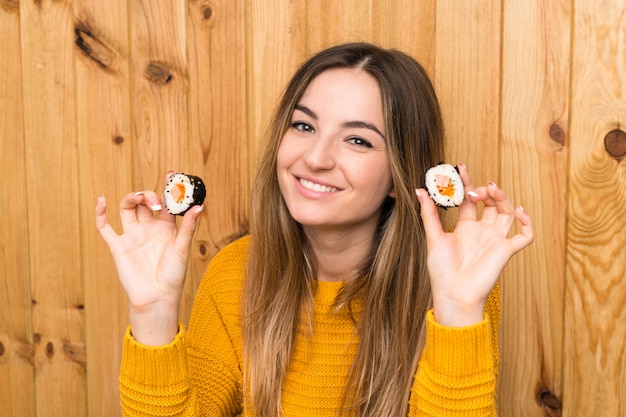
332, 164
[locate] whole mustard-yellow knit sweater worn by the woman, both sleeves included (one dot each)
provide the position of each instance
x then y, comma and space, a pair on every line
200, 372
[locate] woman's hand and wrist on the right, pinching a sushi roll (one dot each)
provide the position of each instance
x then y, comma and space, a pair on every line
464, 265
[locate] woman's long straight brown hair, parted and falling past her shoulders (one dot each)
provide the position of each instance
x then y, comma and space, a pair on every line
393, 286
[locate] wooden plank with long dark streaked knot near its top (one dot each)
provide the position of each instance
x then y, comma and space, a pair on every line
105, 167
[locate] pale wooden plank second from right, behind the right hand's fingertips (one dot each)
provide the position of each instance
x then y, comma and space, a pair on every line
533, 159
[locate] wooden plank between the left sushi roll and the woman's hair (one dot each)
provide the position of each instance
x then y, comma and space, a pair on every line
218, 124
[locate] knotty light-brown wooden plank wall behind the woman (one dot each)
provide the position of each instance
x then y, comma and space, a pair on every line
105, 96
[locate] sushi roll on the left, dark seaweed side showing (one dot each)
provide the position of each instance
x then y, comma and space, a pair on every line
183, 192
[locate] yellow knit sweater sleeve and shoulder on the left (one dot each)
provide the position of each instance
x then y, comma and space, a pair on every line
199, 373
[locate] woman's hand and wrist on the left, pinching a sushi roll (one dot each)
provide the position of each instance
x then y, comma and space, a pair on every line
151, 257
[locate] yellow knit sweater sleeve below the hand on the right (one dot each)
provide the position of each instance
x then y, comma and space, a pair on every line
457, 372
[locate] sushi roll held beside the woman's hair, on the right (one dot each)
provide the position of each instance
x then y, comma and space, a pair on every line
444, 185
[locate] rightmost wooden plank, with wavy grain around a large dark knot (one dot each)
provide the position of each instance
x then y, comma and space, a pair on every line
595, 336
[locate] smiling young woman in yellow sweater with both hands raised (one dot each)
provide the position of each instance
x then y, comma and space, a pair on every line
347, 298
